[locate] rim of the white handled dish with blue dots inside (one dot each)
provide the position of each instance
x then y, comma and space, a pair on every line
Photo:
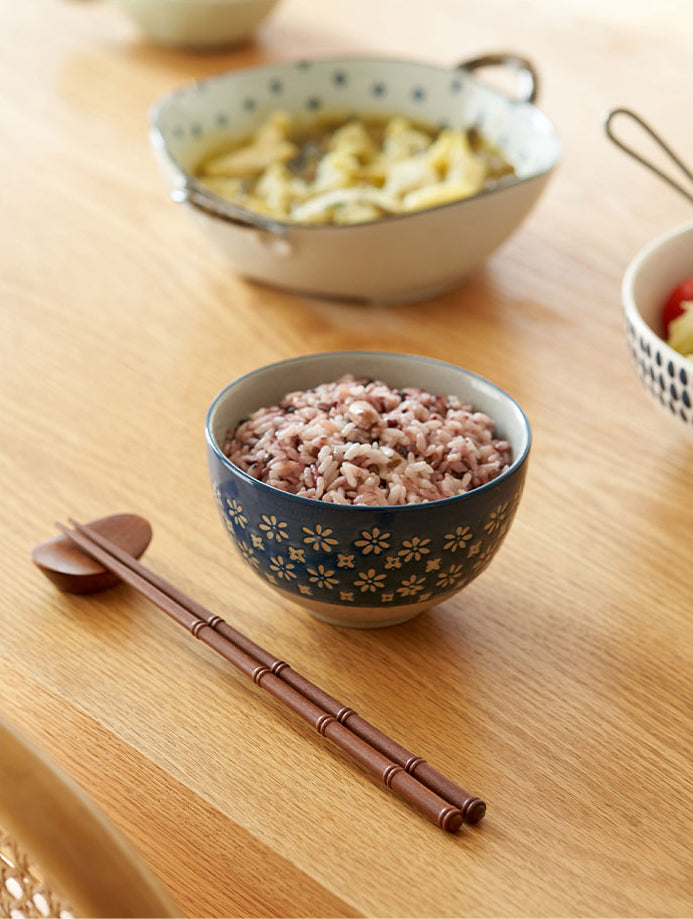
225, 210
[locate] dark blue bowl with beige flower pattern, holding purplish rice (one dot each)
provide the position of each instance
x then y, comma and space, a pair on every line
354, 565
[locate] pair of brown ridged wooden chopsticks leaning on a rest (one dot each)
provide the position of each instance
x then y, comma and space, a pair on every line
411, 777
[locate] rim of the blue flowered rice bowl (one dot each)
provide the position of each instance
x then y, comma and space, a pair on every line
518, 459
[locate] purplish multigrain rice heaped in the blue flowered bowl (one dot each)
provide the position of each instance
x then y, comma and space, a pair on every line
361, 442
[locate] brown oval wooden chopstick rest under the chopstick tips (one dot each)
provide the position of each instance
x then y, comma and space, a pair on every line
73, 571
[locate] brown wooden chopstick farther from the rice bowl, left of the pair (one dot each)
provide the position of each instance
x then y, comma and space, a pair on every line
432, 805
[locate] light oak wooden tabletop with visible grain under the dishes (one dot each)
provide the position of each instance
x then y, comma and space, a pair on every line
557, 686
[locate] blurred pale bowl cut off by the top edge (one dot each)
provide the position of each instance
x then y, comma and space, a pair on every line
197, 24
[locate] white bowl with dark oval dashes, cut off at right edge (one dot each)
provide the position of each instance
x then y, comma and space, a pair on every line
647, 282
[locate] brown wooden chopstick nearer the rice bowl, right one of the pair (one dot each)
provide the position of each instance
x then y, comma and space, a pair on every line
472, 807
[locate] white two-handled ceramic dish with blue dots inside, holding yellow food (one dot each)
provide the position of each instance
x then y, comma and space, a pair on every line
401, 258
